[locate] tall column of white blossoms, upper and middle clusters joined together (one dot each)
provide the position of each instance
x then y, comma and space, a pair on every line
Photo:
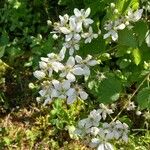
58, 75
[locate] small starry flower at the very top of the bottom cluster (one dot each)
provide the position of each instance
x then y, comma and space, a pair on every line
104, 111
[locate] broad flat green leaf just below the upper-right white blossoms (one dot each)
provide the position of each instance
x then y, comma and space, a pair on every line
127, 37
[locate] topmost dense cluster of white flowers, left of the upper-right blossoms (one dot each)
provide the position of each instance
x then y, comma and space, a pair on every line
75, 28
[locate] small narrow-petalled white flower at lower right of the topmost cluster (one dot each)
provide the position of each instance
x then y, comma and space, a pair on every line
89, 35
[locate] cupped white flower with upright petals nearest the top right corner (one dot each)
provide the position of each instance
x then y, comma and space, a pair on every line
134, 16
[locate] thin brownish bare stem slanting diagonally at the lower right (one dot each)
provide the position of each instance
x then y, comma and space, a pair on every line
131, 96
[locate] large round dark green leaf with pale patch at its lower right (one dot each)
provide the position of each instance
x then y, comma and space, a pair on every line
109, 90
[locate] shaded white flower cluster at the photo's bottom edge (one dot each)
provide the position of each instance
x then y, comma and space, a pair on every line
99, 133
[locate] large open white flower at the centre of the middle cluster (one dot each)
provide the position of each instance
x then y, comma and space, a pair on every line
70, 70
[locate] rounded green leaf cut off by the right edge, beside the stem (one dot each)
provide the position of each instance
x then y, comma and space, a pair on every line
143, 98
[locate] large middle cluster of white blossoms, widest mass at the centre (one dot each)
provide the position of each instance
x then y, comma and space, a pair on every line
65, 87
